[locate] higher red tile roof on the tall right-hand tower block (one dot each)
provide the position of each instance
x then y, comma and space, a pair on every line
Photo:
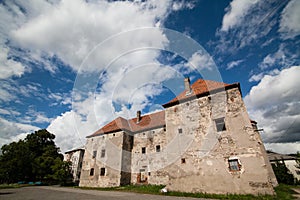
200, 88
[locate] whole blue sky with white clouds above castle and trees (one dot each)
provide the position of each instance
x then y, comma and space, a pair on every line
72, 66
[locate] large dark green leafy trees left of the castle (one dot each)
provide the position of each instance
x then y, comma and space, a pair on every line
36, 158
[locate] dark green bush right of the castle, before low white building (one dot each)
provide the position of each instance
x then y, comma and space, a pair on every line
282, 173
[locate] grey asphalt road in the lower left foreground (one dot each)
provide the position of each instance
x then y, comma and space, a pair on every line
61, 193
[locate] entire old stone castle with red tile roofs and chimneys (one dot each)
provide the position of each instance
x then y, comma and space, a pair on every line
203, 141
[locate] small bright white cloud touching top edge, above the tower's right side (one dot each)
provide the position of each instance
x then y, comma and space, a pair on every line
236, 12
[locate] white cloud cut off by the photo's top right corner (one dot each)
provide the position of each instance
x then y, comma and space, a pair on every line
289, 23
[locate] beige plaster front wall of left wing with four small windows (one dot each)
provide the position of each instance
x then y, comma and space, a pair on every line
112, 143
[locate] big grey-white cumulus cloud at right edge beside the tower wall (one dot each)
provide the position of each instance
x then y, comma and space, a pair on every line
274, 103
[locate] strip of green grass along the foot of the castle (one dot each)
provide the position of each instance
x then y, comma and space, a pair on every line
283, 192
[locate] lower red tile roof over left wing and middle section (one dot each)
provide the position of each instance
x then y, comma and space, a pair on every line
153, 120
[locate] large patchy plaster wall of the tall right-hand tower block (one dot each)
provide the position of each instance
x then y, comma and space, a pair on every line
206, 167
